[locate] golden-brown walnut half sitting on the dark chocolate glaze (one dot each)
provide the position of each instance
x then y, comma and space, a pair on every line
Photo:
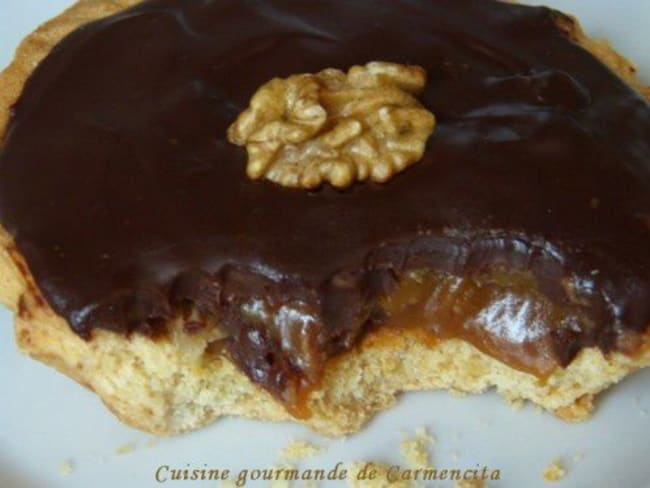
335, 127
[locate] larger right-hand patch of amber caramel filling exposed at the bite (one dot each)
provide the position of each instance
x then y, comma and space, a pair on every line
503, 315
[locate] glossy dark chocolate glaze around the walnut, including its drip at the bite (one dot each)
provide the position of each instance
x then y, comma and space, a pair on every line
126, 200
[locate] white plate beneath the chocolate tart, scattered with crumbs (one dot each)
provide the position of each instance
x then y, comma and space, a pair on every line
46, 419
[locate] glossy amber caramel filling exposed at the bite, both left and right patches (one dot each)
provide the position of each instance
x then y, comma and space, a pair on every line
503, 314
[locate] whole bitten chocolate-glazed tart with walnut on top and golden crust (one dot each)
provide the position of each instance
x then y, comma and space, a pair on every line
483, 220
